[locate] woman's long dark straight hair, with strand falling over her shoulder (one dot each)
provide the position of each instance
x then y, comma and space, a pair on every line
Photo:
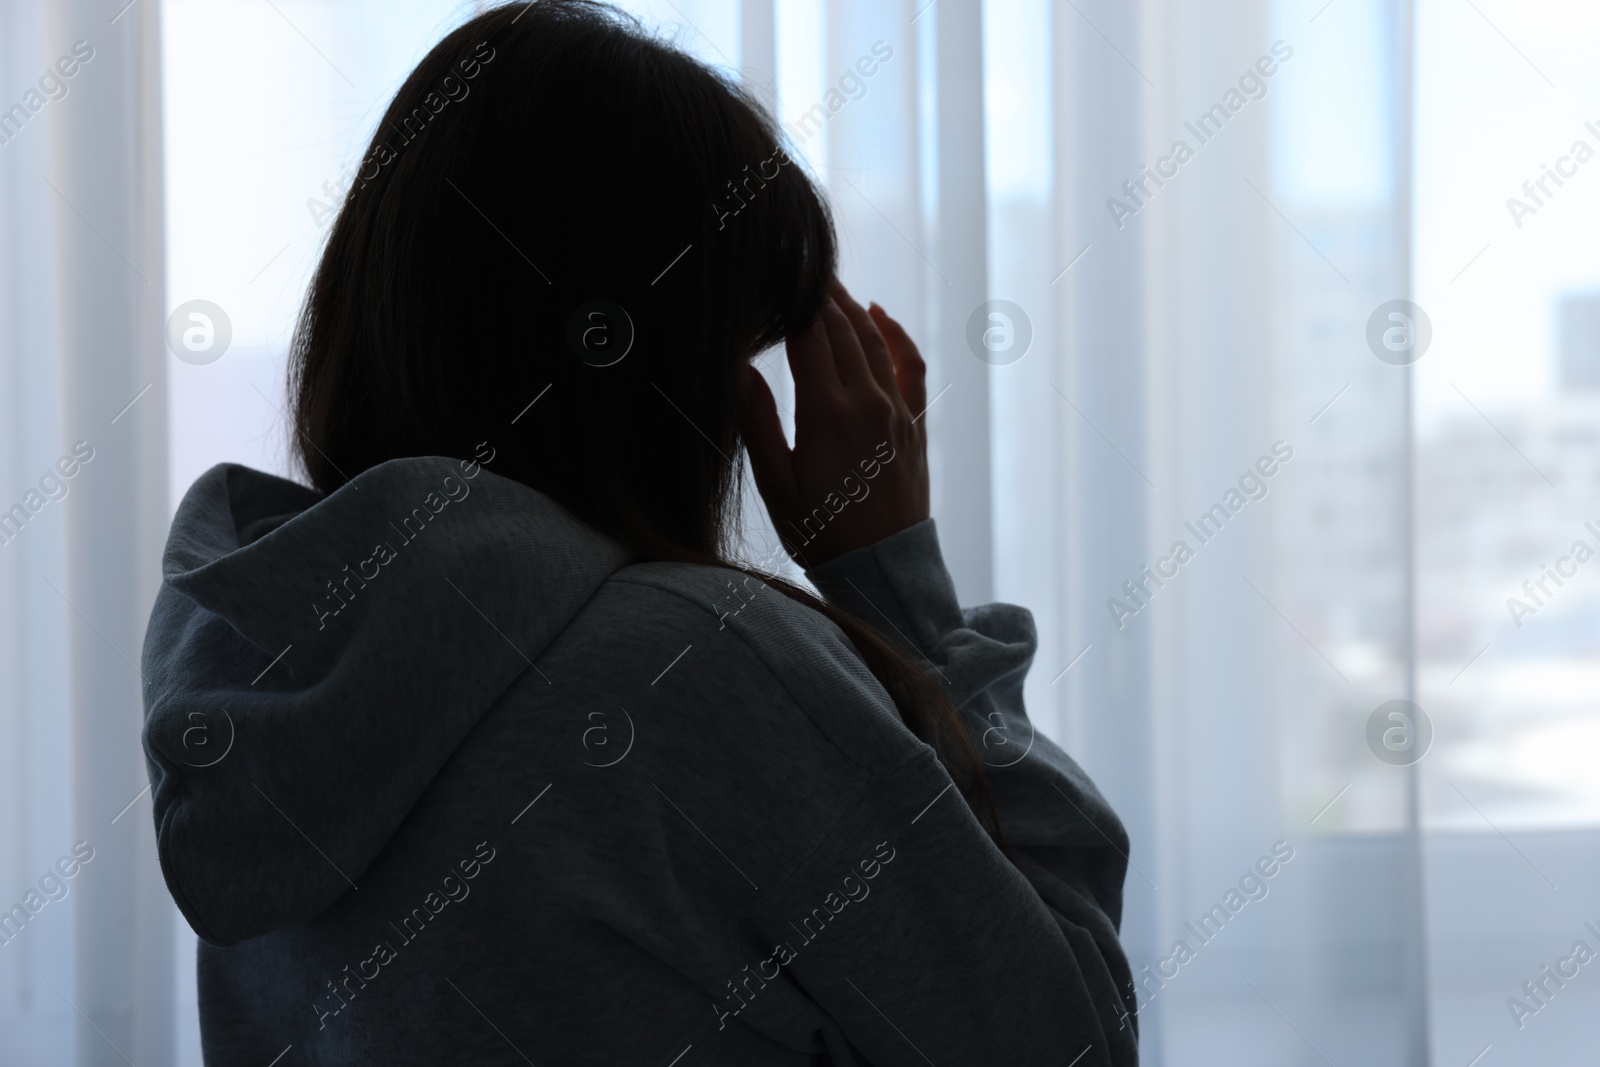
543, 158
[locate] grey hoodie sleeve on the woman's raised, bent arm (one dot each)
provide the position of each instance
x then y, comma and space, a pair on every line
1060, 833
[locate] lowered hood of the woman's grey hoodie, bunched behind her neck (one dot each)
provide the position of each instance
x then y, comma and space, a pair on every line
313, 661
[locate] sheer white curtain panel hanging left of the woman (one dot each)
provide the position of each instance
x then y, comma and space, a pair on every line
87, 964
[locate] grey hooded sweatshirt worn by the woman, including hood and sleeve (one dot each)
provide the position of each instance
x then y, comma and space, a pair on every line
524, 799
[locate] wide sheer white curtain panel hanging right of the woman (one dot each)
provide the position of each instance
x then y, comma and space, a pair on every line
1175, 345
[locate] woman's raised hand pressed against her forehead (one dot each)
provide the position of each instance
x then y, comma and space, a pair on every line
860, 466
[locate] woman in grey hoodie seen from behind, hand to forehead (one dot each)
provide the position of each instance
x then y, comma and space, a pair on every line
481, 749
